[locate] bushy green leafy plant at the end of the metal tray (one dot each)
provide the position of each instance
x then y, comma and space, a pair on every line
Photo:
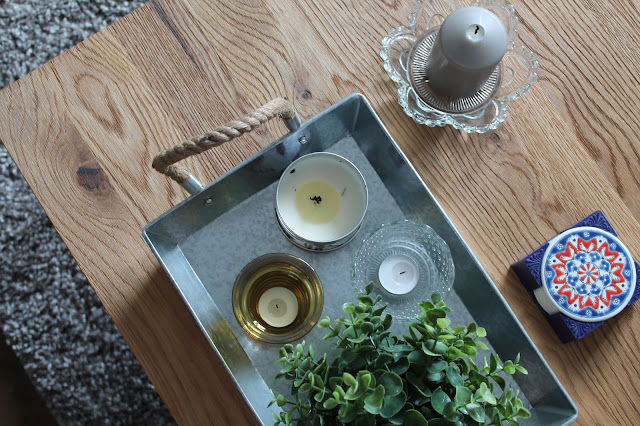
424, 378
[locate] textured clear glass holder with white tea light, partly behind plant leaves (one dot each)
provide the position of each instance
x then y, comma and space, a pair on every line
407, 262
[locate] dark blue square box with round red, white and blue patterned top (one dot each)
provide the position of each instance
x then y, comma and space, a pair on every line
580, 277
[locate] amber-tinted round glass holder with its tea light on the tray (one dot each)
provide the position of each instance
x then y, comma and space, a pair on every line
277, 298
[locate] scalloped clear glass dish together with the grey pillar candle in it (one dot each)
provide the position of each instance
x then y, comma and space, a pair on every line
459, 63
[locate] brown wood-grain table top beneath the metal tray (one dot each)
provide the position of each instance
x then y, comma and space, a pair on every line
84, 127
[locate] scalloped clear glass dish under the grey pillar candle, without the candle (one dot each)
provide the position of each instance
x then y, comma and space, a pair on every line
406, 50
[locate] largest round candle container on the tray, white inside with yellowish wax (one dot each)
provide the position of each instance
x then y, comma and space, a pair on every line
321, 200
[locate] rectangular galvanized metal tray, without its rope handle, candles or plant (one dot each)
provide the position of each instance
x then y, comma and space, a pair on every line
204, 242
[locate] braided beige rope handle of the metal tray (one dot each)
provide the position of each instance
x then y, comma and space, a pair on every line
165, 161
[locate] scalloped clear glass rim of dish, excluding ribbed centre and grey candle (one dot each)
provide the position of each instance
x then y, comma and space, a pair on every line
516, 72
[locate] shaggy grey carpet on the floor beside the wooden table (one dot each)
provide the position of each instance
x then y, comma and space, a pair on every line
50, 316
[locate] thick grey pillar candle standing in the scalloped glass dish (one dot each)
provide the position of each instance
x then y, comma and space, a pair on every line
469, 45
